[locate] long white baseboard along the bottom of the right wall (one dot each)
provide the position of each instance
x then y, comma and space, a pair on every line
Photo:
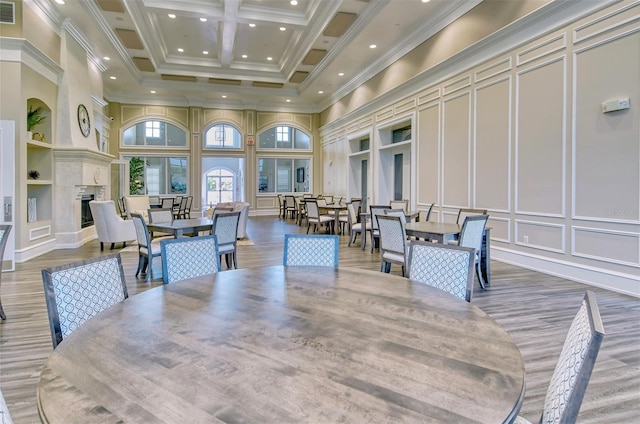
618, 282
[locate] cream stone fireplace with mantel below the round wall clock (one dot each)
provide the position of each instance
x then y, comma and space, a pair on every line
81, 175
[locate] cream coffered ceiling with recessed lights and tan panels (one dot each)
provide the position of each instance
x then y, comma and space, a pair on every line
265, 54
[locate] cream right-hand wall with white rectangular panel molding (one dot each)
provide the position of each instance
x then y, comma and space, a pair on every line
521, 134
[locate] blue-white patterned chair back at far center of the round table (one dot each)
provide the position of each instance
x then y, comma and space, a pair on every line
310, 250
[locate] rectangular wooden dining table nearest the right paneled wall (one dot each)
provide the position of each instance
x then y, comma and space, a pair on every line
442, 231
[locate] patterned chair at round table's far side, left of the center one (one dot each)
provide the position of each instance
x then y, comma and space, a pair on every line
185, 258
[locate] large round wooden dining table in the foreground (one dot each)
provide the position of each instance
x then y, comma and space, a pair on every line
286, 345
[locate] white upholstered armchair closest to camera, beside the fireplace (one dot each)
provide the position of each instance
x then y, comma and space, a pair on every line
110, 227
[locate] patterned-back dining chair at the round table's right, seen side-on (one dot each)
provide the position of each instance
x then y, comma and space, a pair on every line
573, 370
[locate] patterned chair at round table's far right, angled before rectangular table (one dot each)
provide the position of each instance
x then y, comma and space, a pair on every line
448, 268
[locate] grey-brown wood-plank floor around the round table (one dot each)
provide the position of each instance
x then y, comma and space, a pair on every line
536, 309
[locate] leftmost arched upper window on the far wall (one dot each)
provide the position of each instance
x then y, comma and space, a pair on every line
154, 133
